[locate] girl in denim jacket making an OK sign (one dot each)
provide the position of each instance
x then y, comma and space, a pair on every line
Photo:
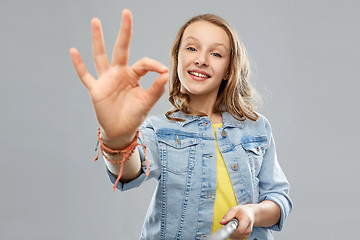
213, 156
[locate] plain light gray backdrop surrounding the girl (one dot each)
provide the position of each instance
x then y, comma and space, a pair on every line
305, 62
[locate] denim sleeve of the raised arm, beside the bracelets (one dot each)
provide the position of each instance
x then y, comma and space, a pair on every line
152, 154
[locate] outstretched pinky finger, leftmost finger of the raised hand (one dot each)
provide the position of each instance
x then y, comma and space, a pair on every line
80, 68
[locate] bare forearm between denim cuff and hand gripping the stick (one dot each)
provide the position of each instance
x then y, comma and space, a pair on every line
267, 213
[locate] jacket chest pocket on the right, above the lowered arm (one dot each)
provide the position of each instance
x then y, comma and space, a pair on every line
255, 149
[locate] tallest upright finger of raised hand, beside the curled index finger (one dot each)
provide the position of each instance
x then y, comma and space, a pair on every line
121, 48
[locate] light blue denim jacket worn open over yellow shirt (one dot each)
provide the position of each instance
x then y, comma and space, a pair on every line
182, 159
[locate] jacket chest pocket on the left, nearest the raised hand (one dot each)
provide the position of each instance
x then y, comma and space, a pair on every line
177, 152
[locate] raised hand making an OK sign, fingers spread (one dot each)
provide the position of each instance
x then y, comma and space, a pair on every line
120, 103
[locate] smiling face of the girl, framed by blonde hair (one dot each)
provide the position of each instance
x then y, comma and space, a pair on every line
203, 60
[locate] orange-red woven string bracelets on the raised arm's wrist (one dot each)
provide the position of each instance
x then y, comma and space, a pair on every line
126, 153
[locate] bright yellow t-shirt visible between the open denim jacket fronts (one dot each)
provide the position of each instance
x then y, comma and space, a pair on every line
225, 196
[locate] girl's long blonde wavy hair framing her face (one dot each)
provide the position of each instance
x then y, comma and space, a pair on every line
236, 95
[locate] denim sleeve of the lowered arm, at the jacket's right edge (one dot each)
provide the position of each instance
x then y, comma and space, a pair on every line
273, 184
